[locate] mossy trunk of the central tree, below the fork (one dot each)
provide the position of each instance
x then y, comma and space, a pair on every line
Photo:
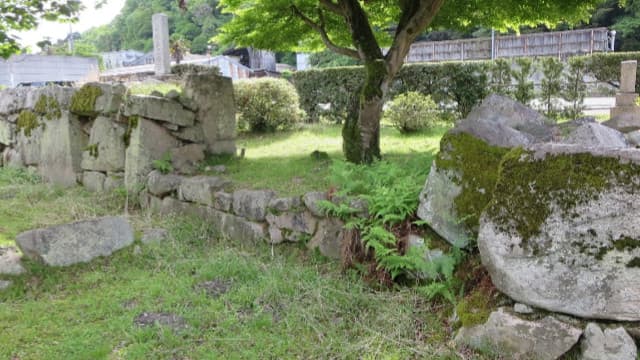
361, 131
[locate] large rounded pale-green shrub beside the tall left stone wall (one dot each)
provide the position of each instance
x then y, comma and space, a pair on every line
267, 104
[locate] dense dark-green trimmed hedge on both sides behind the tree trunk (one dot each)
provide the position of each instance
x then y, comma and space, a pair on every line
464, 84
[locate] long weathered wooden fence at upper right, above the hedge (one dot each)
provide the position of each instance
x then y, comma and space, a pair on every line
560, 43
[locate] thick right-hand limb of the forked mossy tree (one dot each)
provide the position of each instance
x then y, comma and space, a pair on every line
416, 16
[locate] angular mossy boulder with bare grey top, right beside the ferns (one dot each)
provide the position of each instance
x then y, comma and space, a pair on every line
464, 172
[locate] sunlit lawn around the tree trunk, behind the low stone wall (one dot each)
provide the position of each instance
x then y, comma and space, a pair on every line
283, 161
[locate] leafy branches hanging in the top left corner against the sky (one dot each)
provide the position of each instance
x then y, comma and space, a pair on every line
17, 15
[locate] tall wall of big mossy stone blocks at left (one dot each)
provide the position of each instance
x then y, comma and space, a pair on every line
103, 138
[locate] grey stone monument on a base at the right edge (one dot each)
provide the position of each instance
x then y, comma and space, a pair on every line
625, 116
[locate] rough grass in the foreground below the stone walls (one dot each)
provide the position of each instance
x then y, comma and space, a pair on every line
282, 303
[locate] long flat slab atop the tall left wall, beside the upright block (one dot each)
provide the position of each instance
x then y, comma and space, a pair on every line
159, 108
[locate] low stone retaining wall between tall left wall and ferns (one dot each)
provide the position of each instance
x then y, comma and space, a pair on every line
245, 215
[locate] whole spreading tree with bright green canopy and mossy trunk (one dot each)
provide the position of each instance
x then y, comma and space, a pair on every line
362, 28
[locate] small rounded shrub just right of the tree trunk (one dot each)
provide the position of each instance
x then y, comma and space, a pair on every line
412, 112
